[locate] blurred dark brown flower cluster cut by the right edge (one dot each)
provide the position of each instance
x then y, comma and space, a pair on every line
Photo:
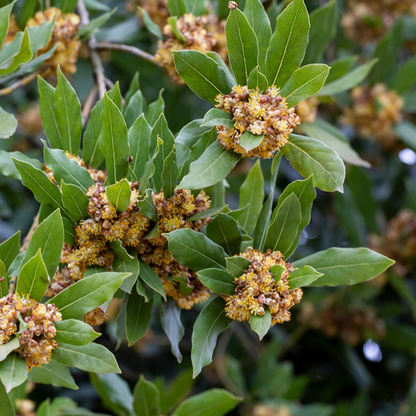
399, 242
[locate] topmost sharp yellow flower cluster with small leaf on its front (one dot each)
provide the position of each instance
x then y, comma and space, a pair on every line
259, 113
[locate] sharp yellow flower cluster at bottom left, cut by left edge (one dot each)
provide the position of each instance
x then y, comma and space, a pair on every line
37, 340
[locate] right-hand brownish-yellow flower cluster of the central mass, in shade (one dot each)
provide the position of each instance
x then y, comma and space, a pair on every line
179, 282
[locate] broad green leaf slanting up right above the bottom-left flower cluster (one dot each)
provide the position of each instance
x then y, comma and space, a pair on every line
87, 294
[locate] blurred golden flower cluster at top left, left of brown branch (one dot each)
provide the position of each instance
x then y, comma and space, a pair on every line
64, 32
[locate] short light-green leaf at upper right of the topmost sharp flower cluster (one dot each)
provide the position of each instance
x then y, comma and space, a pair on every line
304, 82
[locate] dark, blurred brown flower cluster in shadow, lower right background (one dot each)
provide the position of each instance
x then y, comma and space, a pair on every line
354, 324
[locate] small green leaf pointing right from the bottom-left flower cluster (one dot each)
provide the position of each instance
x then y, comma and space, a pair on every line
74, 332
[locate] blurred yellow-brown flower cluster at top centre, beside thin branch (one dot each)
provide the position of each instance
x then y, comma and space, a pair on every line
203, 33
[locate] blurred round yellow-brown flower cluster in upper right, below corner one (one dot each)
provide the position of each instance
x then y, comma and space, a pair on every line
374, 112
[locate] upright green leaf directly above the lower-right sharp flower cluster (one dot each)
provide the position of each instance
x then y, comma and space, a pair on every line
284, 225
